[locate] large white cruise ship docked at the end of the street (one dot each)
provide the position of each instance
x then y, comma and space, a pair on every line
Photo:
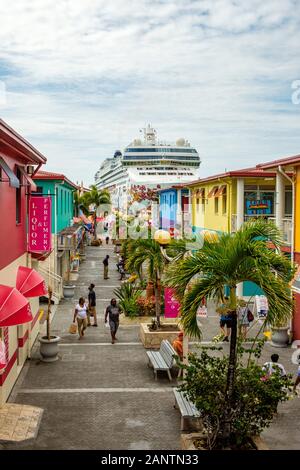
150, 163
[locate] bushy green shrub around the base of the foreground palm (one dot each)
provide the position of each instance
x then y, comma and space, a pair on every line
254, 402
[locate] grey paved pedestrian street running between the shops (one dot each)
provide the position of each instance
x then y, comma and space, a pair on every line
103, 396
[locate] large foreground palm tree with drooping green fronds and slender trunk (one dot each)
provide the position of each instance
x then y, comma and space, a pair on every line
225, 262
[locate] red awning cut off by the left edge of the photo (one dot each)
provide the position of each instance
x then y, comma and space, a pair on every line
14, 307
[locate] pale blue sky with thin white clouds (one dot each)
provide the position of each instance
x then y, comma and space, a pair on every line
80, 78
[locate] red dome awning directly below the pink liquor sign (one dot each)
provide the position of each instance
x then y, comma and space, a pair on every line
30, 283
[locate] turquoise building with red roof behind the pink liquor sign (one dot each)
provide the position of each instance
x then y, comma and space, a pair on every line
62, 264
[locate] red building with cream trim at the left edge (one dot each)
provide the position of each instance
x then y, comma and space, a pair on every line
19, 160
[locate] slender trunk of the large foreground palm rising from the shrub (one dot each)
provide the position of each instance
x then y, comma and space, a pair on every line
229, 392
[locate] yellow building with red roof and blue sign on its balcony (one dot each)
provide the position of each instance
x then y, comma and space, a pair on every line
222, 203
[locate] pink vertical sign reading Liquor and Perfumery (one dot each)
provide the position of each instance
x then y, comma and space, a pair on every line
39, 234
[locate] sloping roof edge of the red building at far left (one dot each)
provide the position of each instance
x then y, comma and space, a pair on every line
22, 147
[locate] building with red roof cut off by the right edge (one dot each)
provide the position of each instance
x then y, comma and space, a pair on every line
288, 174
